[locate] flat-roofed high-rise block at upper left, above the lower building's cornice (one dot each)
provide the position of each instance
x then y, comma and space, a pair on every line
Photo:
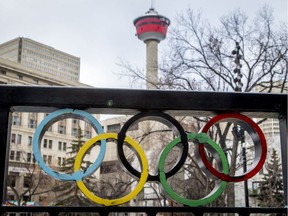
41, 57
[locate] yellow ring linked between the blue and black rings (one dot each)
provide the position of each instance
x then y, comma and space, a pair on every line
132, 194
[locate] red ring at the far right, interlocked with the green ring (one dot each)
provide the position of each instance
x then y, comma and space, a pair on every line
248, 122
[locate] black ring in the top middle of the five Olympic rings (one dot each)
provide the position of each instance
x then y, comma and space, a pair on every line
164, 118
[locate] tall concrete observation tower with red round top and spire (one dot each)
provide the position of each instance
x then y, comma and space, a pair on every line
151, 28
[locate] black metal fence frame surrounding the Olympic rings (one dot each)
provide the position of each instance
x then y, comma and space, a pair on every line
120, 101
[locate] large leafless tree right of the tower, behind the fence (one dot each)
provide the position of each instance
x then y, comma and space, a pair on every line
199, 57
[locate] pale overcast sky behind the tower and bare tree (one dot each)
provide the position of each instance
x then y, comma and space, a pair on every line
101, 32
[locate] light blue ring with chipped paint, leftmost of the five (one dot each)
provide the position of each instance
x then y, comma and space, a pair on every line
47, 122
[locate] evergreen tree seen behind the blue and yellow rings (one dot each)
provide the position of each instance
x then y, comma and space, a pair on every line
68, 193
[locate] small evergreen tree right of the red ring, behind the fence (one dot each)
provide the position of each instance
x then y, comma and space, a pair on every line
271, 189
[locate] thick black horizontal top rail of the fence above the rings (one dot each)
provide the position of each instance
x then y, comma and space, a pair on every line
123, 101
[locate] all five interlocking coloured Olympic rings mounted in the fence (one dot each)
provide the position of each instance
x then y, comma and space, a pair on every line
201, 142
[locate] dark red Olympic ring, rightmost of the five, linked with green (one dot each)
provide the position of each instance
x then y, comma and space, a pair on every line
256, 135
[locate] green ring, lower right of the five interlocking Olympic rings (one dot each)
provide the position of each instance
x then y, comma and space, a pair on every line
219, 188
